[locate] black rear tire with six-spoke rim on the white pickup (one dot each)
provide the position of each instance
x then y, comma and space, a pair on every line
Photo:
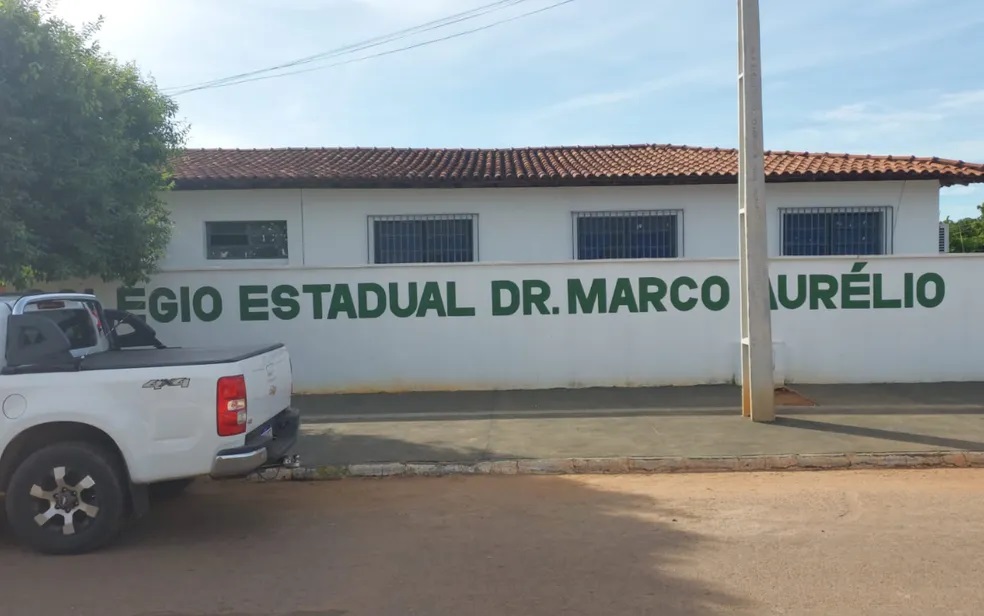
67, 498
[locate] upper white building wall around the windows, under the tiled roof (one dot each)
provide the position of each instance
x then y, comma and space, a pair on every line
328, 228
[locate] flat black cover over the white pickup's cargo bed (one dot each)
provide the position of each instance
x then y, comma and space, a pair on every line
161, 358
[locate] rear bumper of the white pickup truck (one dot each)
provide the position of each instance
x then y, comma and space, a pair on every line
267, 445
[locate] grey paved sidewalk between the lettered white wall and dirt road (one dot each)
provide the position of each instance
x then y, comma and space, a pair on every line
699, 421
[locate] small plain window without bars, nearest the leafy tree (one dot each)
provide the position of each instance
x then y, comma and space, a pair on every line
254, 239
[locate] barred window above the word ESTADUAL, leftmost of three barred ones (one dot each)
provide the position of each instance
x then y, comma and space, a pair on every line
439, 238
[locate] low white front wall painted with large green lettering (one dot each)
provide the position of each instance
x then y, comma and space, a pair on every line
898, 341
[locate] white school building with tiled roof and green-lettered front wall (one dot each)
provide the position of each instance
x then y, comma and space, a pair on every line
389, 269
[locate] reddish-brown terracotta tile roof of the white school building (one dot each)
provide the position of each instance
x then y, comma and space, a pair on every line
547, 166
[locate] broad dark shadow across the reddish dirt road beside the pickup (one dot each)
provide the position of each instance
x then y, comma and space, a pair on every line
462, 545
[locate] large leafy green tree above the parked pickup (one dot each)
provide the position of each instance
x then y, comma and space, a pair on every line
84, 148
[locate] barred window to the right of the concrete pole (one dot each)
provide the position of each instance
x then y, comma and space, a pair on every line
836, 231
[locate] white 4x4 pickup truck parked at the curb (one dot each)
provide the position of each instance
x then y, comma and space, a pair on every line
96, 413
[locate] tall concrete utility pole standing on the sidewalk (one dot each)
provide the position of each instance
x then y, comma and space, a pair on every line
757, 385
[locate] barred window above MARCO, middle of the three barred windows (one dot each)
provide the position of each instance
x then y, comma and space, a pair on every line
644, 234
